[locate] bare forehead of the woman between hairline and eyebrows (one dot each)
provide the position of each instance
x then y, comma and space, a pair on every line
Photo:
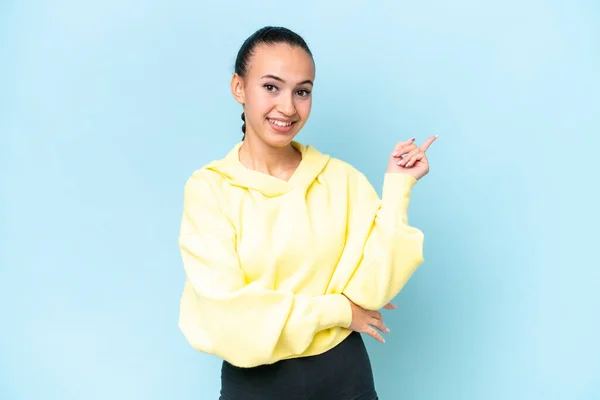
282, 60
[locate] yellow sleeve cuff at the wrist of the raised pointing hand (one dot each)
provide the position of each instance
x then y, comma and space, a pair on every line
397, 188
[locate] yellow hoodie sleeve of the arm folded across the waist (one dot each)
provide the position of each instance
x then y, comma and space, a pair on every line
221, 313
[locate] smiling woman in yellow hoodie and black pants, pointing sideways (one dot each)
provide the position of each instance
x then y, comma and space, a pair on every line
288, 252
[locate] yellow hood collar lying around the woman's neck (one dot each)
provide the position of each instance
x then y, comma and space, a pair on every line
311, 166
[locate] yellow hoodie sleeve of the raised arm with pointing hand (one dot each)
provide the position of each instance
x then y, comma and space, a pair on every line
391, 249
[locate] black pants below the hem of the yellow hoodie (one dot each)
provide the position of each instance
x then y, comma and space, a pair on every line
342, 373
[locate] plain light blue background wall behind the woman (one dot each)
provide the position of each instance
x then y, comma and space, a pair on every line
106, 107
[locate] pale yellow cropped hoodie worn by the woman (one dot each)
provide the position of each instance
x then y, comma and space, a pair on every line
267, 260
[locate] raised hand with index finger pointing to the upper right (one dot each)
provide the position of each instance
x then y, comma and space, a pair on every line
409, 159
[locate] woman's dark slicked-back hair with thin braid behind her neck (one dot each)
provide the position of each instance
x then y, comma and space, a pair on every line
268, 35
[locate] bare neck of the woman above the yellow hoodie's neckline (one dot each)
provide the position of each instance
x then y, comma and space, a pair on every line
259, 156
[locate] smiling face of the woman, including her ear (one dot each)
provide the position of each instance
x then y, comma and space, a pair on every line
276, 92
